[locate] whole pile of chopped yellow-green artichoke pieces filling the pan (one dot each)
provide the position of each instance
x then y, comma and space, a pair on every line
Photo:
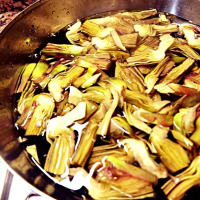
119, 106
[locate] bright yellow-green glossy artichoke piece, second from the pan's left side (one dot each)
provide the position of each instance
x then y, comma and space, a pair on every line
39, 70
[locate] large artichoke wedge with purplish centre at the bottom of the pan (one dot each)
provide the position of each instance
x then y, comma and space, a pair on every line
126, 175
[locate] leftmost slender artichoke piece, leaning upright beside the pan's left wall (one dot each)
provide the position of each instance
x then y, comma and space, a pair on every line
25, 75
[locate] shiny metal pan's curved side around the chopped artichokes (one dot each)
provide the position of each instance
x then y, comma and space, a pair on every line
23, 36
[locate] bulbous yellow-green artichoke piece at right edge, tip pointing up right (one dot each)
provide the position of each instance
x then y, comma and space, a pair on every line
184, 120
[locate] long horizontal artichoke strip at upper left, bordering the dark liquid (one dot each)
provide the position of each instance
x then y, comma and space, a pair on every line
62, 49
